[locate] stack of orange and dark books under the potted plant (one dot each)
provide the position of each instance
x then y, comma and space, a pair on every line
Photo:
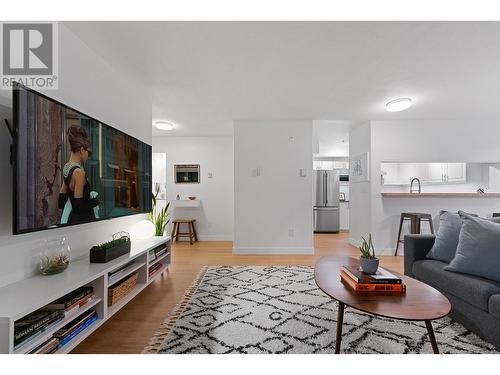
383, 282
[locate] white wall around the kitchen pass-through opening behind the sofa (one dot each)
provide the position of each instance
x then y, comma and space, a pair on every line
424, 141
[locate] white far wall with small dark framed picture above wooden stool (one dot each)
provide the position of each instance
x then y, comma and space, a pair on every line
214, 219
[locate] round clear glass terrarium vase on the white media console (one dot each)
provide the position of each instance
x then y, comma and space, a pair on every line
55, 256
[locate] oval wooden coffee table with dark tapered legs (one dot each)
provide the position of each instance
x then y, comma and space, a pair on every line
420, 303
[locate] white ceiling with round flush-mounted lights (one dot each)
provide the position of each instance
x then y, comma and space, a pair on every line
203, 75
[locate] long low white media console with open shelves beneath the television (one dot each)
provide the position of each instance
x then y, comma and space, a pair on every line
21, 298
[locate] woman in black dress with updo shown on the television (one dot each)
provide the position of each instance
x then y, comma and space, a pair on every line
83, 203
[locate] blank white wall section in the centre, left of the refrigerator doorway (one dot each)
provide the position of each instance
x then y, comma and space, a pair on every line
273, 211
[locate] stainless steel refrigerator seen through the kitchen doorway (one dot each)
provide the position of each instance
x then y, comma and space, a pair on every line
326, 214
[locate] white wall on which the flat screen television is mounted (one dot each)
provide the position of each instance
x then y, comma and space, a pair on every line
89, 84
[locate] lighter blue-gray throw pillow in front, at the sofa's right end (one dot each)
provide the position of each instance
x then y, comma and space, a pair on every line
478, 250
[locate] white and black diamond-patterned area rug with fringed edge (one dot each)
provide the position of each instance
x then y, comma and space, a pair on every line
249, 309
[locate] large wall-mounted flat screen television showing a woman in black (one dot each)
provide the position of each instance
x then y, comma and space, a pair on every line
70, 168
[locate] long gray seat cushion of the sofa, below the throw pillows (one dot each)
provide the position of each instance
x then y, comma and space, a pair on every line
474, 290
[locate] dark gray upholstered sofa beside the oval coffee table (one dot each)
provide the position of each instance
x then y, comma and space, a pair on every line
475, 301
